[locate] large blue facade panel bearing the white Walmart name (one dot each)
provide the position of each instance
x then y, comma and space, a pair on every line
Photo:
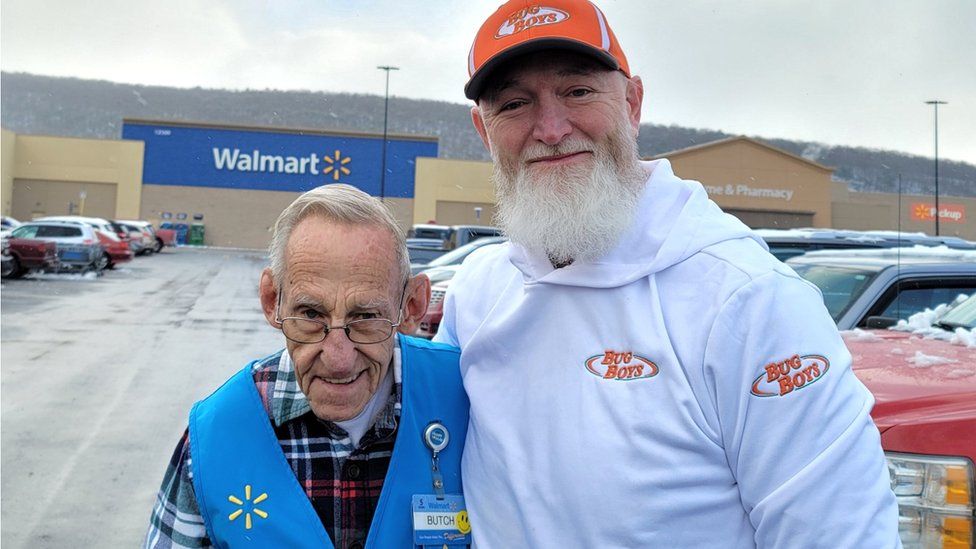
201, 156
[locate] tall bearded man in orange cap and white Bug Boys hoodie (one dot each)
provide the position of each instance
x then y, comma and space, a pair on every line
642, 373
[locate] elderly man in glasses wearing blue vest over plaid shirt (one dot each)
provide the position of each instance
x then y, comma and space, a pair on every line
332, 441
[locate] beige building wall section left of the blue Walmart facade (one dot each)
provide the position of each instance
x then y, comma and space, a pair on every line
78, 166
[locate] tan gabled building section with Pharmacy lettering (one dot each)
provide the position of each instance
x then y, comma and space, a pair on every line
738, 172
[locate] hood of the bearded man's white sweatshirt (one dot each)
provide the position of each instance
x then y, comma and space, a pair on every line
674, 220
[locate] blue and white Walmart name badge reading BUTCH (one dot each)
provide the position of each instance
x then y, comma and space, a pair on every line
440, 522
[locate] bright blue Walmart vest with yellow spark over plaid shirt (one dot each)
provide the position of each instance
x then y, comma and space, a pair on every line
249, 495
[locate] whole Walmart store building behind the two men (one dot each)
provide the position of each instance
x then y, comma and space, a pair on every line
236, 180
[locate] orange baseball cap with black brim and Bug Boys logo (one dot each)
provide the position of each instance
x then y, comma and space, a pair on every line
524, 26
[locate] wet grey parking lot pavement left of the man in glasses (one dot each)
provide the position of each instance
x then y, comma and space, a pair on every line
98, 375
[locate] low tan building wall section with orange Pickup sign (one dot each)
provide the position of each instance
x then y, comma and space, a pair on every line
880, 211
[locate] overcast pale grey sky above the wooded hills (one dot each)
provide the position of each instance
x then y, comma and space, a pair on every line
842, 72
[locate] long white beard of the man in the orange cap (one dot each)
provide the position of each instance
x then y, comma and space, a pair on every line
574, 214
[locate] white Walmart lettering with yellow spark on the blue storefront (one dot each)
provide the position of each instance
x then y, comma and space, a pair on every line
334, 165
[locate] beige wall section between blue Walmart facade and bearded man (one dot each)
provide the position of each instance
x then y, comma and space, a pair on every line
448, 191
